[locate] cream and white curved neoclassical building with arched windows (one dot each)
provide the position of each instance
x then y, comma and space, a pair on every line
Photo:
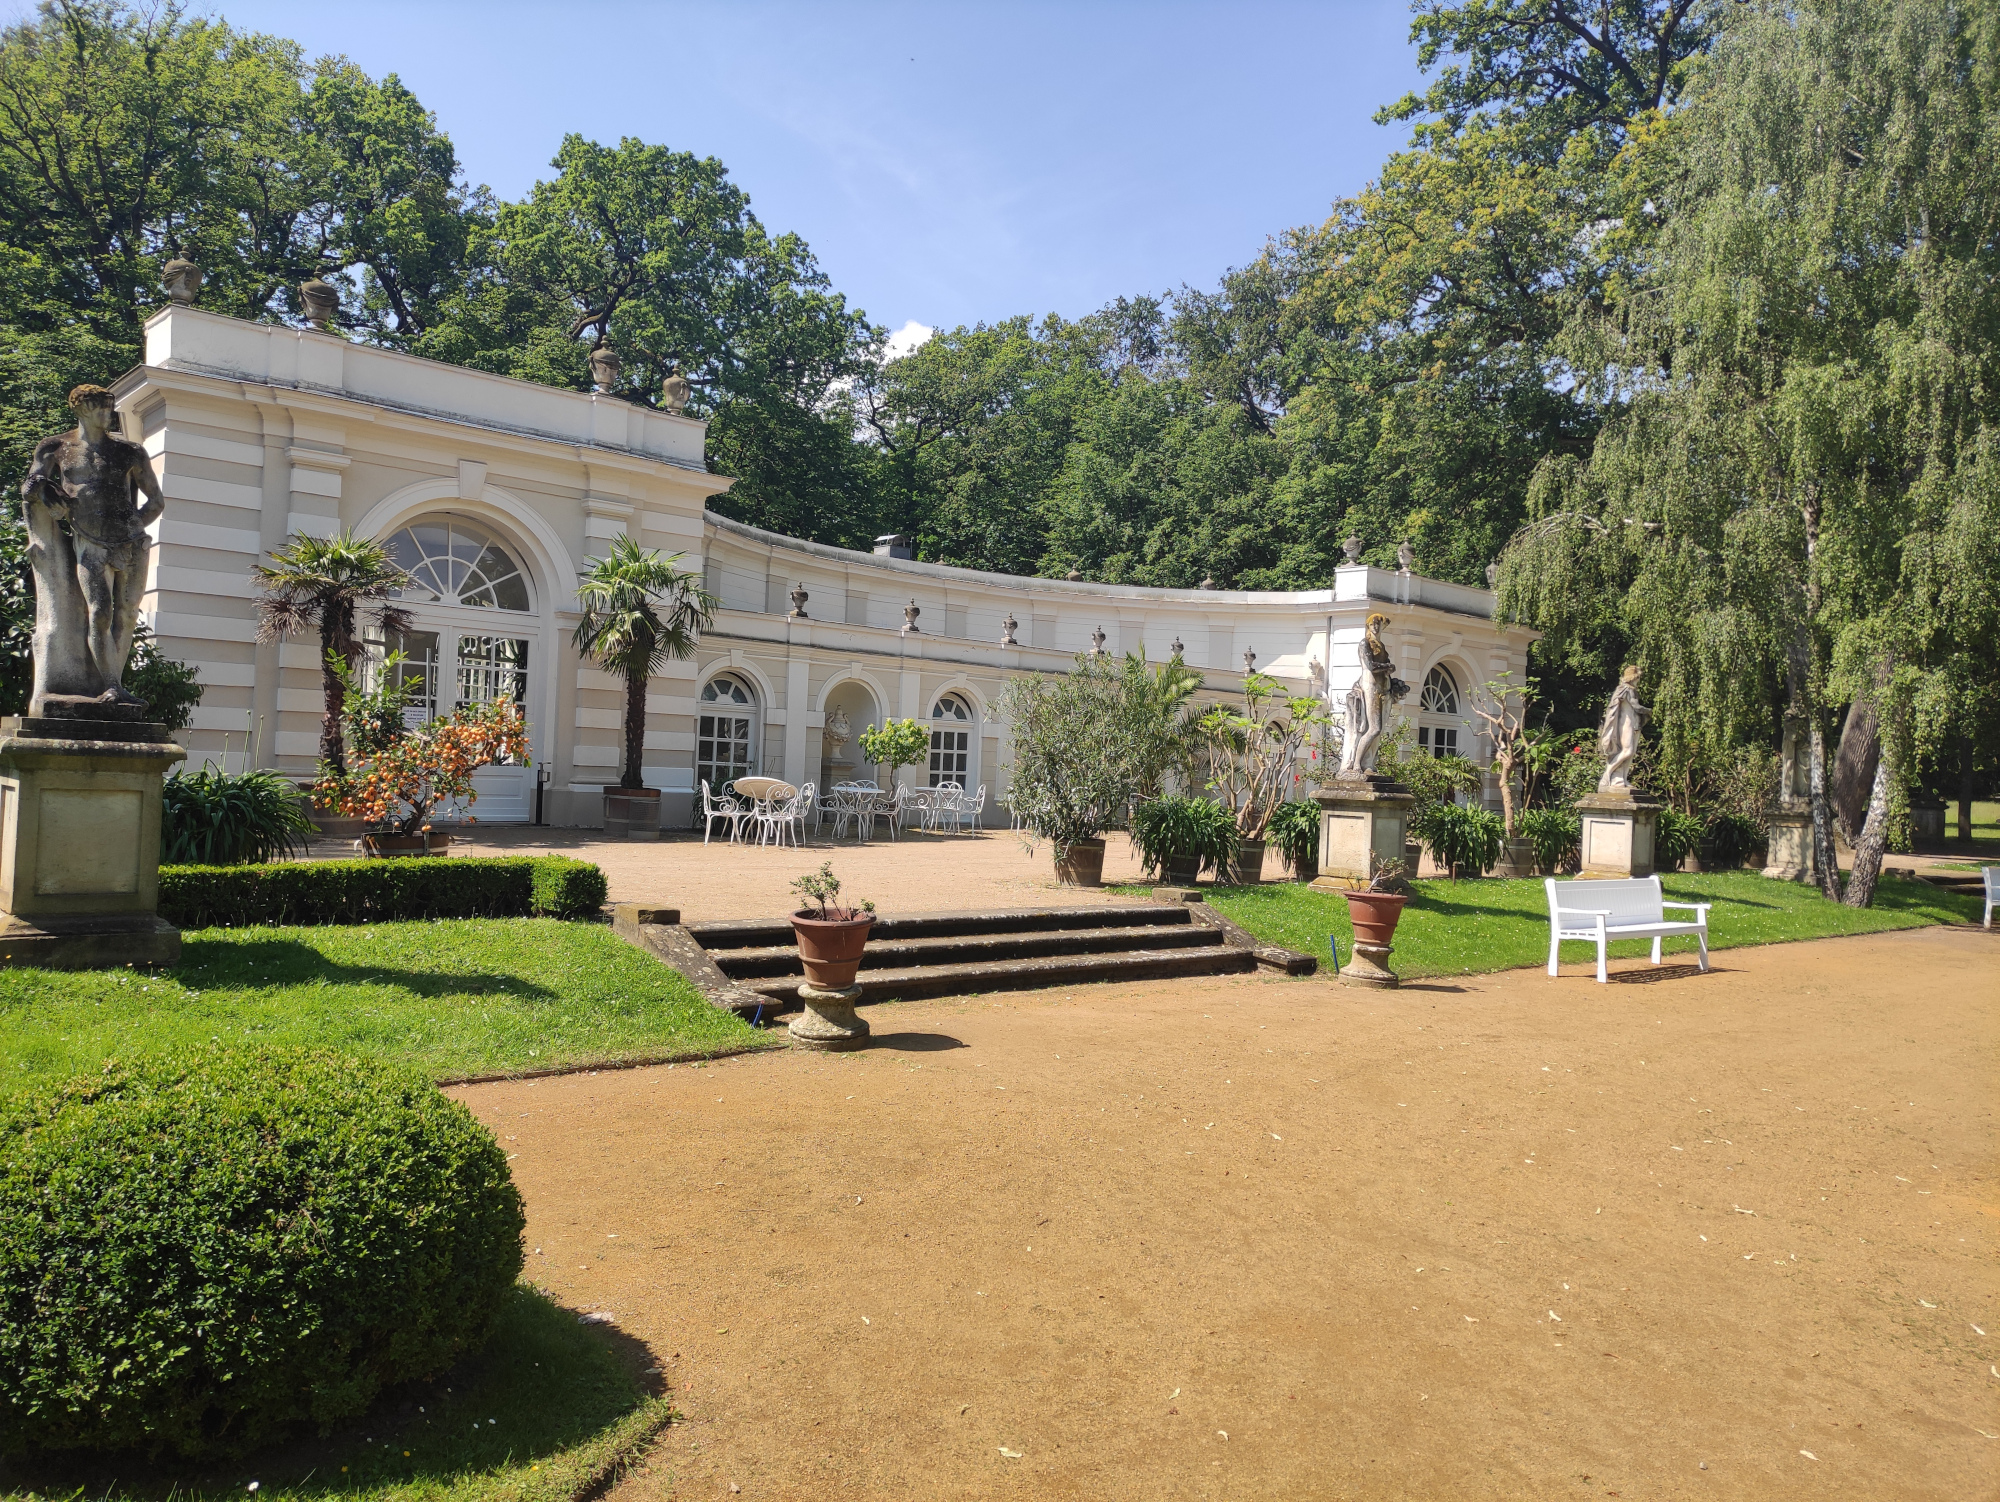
495, 493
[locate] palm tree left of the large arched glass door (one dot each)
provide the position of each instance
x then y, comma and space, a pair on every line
327, 585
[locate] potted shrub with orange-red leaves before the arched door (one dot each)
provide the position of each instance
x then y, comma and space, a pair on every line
399, 787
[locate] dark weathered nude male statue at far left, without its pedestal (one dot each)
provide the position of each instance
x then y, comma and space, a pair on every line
89, 581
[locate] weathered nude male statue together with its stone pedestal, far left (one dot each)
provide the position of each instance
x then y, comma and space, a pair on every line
81, 773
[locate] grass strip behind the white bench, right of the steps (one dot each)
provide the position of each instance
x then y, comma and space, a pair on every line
1455, 929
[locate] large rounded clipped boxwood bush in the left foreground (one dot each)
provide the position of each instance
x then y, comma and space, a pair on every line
203, 1253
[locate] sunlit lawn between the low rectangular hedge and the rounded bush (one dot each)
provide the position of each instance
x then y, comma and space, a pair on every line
457, 999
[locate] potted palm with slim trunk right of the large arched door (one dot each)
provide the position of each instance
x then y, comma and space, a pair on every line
641, 613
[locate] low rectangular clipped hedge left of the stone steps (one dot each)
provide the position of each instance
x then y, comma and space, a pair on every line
379, 891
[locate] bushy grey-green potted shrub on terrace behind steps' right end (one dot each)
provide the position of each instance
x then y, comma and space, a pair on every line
1071, 767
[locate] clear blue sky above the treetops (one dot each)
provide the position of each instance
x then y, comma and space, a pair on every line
949, 163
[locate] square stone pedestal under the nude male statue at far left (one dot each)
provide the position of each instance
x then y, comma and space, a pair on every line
81, 843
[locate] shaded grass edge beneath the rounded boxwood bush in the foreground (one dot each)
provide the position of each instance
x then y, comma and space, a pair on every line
547, 1411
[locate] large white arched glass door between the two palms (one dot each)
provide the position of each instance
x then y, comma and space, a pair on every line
471, 643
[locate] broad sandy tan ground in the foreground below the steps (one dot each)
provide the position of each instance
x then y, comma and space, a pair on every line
1679, 1237
